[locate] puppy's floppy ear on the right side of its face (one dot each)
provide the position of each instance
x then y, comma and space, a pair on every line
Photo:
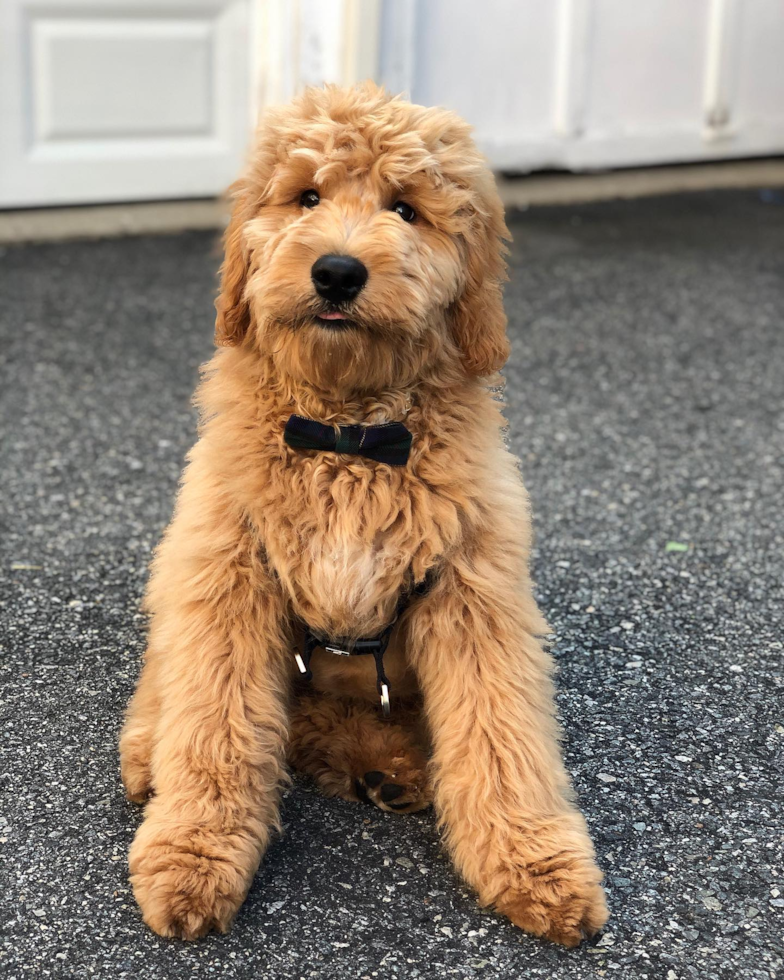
478, 318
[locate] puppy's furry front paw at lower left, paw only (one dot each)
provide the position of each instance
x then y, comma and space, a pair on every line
189, 888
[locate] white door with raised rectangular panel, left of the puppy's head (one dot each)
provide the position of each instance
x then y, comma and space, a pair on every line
118, 100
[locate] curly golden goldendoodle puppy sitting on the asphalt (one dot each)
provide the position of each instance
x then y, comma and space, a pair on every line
350, 491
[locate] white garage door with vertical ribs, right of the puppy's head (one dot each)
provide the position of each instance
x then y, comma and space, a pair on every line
584, 84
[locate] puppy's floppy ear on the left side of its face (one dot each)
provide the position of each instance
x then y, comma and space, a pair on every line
233, 319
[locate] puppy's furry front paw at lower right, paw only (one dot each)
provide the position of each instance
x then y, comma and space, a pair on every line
559, 898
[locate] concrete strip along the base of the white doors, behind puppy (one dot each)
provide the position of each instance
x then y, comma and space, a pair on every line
534, 190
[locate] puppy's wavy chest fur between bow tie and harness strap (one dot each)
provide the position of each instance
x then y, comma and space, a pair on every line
348, 539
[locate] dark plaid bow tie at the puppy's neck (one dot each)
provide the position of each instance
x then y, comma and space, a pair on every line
388, 443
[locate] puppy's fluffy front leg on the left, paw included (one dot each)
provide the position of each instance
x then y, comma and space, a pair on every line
217, 758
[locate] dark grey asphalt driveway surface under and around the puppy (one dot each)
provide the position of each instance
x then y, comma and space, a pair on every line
645, 401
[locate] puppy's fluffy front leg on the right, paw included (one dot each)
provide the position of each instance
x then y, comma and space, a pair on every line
501, 792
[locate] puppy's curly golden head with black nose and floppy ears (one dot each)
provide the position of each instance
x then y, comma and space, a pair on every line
366, 242
